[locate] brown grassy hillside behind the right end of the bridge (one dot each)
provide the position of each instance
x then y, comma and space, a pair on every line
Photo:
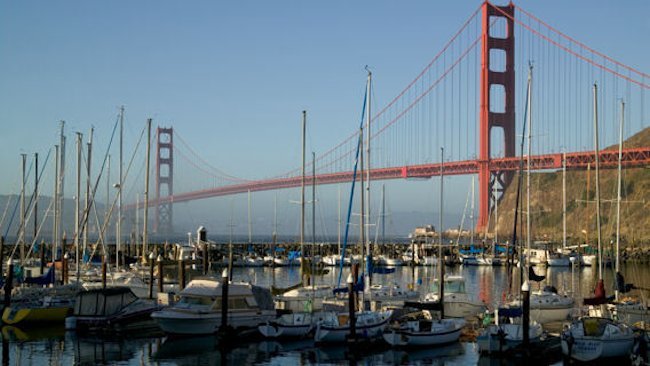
546, 202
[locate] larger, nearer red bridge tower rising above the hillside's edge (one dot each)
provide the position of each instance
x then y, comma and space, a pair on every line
497, 81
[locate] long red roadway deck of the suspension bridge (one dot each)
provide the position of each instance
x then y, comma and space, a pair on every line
578, 160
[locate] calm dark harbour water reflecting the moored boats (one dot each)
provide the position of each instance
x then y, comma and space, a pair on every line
54, 346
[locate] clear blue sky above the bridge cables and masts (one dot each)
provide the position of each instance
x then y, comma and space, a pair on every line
233, 76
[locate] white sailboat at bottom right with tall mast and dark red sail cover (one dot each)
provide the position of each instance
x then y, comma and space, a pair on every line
591, 338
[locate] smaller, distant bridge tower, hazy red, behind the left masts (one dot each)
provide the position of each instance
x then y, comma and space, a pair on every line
164, 179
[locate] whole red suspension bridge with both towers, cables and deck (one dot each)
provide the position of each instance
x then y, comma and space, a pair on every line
464, 100
